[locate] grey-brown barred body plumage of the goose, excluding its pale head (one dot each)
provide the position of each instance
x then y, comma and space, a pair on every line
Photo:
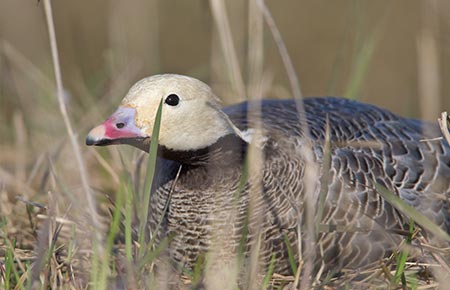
368, 145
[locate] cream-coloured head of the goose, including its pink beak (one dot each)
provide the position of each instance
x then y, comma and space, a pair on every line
192, 118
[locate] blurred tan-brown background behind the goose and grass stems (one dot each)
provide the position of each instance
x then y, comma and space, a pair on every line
394, 54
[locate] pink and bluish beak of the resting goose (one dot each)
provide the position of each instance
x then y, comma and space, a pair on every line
119, 128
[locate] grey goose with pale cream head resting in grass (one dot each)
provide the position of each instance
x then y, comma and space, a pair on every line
202, 153
